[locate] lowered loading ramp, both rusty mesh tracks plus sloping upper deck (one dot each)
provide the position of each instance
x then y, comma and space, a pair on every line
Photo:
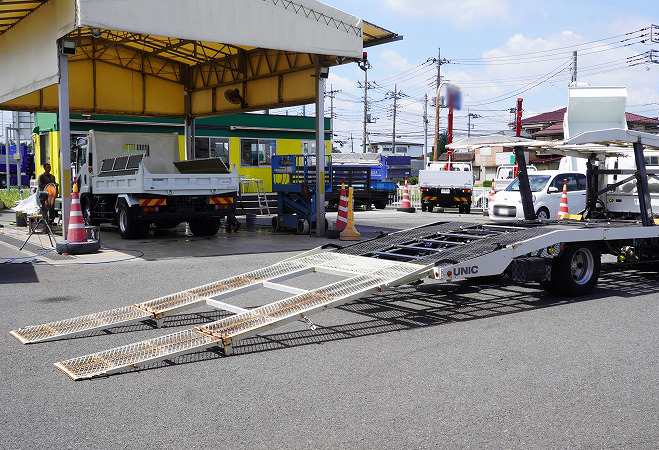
369, 266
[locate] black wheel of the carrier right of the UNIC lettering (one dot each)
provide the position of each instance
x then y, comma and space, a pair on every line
576, 271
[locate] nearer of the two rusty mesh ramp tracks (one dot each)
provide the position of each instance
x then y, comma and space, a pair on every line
227, 331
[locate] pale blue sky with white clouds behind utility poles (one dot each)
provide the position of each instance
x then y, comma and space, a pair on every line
496, 51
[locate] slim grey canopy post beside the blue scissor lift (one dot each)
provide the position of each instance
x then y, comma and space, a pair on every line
320, 151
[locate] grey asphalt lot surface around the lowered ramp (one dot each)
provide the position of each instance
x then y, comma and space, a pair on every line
431, 366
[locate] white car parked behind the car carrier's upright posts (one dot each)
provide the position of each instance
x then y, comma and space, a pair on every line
547, 188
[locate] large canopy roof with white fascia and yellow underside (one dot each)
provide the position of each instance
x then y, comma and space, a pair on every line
174, 58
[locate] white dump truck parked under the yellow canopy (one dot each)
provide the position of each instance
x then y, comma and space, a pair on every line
136, 179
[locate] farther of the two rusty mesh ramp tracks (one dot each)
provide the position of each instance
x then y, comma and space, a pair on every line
169, 304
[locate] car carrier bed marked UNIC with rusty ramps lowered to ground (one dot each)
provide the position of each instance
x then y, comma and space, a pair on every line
563, 255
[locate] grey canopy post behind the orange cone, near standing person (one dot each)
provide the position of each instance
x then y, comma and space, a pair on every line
65, 139
